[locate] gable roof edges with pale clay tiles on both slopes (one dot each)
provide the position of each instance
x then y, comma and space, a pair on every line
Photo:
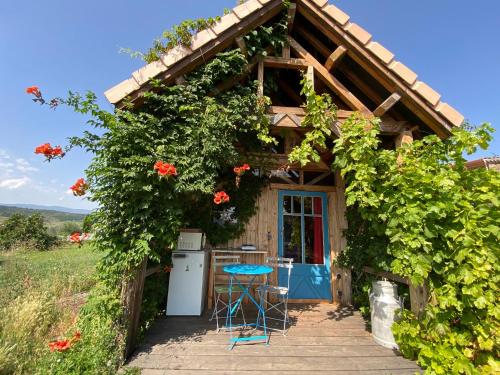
332, 21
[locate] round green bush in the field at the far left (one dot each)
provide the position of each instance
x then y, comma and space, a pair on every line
25, 231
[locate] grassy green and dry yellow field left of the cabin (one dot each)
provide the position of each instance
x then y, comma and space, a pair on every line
40, 294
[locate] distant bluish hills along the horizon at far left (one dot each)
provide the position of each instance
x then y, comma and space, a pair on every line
50, 213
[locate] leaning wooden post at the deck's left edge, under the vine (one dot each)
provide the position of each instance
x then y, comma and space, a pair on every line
131, 297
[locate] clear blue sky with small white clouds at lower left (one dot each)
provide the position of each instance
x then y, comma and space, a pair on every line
60, 45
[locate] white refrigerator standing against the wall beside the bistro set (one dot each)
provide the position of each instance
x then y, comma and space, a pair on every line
188, 282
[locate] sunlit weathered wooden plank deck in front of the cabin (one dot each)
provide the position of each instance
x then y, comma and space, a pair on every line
323, 339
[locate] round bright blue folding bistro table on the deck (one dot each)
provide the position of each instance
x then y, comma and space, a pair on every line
252, 270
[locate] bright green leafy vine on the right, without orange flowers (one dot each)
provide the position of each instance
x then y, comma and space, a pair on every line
440, 223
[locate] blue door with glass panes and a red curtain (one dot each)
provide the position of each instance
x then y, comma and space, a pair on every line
303, 236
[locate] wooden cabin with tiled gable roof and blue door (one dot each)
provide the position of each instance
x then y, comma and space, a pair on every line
301, 211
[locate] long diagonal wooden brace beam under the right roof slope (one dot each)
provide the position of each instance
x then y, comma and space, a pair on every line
330, 80
